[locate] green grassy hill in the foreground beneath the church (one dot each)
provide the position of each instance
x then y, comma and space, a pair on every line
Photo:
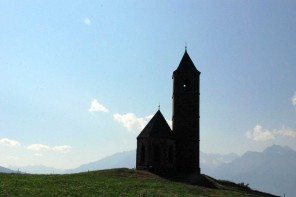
115, 182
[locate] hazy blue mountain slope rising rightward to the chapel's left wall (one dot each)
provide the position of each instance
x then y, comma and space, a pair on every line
125, 159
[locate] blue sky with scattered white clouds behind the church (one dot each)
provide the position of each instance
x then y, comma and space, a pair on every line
80, 79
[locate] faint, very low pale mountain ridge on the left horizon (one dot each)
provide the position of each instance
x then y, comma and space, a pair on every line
39, 169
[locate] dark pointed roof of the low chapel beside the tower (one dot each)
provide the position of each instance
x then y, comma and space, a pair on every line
157, 127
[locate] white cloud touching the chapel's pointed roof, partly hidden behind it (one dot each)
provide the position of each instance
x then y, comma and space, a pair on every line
133, 123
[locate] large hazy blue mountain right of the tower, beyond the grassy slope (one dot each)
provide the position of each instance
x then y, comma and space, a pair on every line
272, 170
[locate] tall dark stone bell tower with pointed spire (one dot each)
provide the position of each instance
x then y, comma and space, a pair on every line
186, 85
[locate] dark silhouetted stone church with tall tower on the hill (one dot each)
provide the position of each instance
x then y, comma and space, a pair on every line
164, 150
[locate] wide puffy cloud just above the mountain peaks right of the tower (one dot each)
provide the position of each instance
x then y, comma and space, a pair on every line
260, 134
